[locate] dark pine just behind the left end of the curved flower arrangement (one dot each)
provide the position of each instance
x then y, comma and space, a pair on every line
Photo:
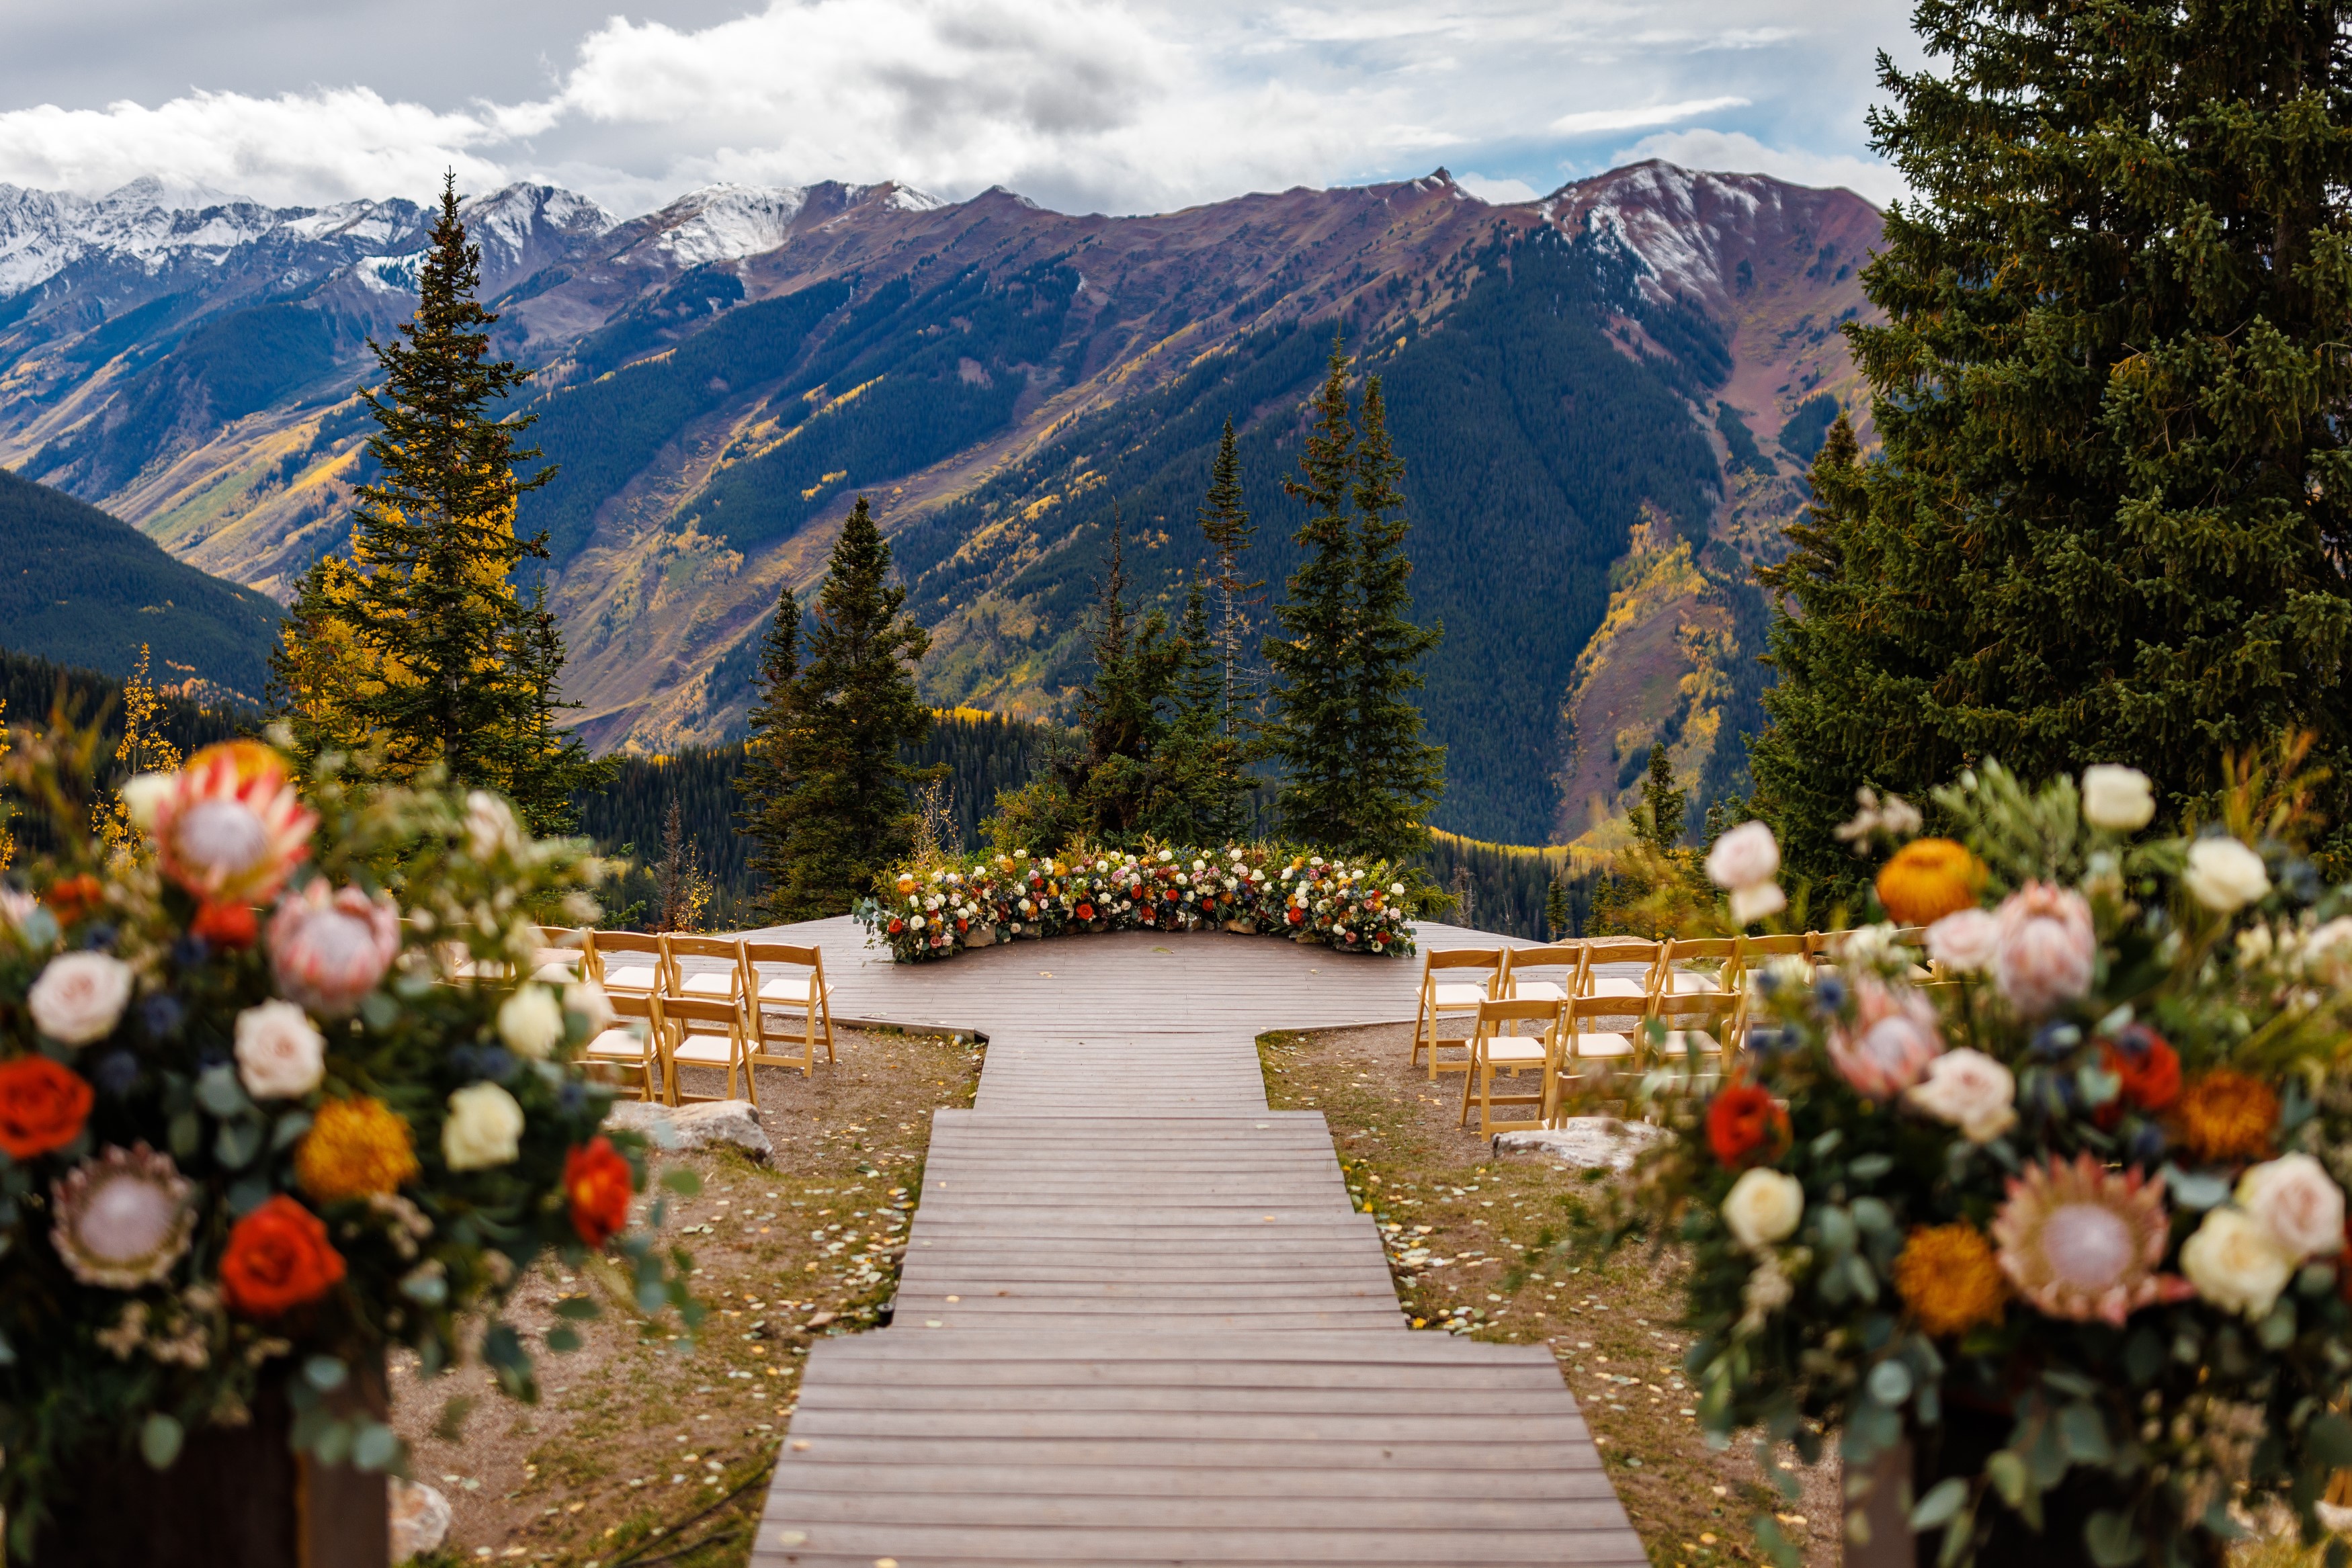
855, 706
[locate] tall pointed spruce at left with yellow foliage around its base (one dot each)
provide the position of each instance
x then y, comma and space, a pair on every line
422, 643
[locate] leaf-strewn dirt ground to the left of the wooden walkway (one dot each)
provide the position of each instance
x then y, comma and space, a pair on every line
657, 1452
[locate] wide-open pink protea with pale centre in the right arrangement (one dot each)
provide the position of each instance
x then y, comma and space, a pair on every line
2085, 1242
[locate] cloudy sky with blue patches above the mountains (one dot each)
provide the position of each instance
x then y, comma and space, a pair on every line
1078, 105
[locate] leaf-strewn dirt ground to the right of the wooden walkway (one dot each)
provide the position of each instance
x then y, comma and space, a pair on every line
1504, 1252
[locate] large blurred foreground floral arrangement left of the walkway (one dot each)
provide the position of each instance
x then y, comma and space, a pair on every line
279, 1092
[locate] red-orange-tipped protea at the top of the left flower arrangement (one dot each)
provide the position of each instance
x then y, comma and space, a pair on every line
232, 829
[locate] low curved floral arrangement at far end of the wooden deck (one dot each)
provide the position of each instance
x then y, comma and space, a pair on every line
940, 909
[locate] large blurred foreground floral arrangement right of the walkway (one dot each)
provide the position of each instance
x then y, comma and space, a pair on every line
2043, 1217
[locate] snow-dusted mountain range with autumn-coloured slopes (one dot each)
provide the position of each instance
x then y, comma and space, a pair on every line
1605, 401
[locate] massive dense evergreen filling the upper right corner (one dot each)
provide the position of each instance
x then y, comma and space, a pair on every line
2111, 514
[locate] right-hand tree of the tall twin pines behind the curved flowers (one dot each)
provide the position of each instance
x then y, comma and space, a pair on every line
1401, 775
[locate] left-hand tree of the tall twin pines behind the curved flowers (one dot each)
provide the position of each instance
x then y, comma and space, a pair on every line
1314, 704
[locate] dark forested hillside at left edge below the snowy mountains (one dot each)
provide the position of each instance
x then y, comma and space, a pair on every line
88, 591
